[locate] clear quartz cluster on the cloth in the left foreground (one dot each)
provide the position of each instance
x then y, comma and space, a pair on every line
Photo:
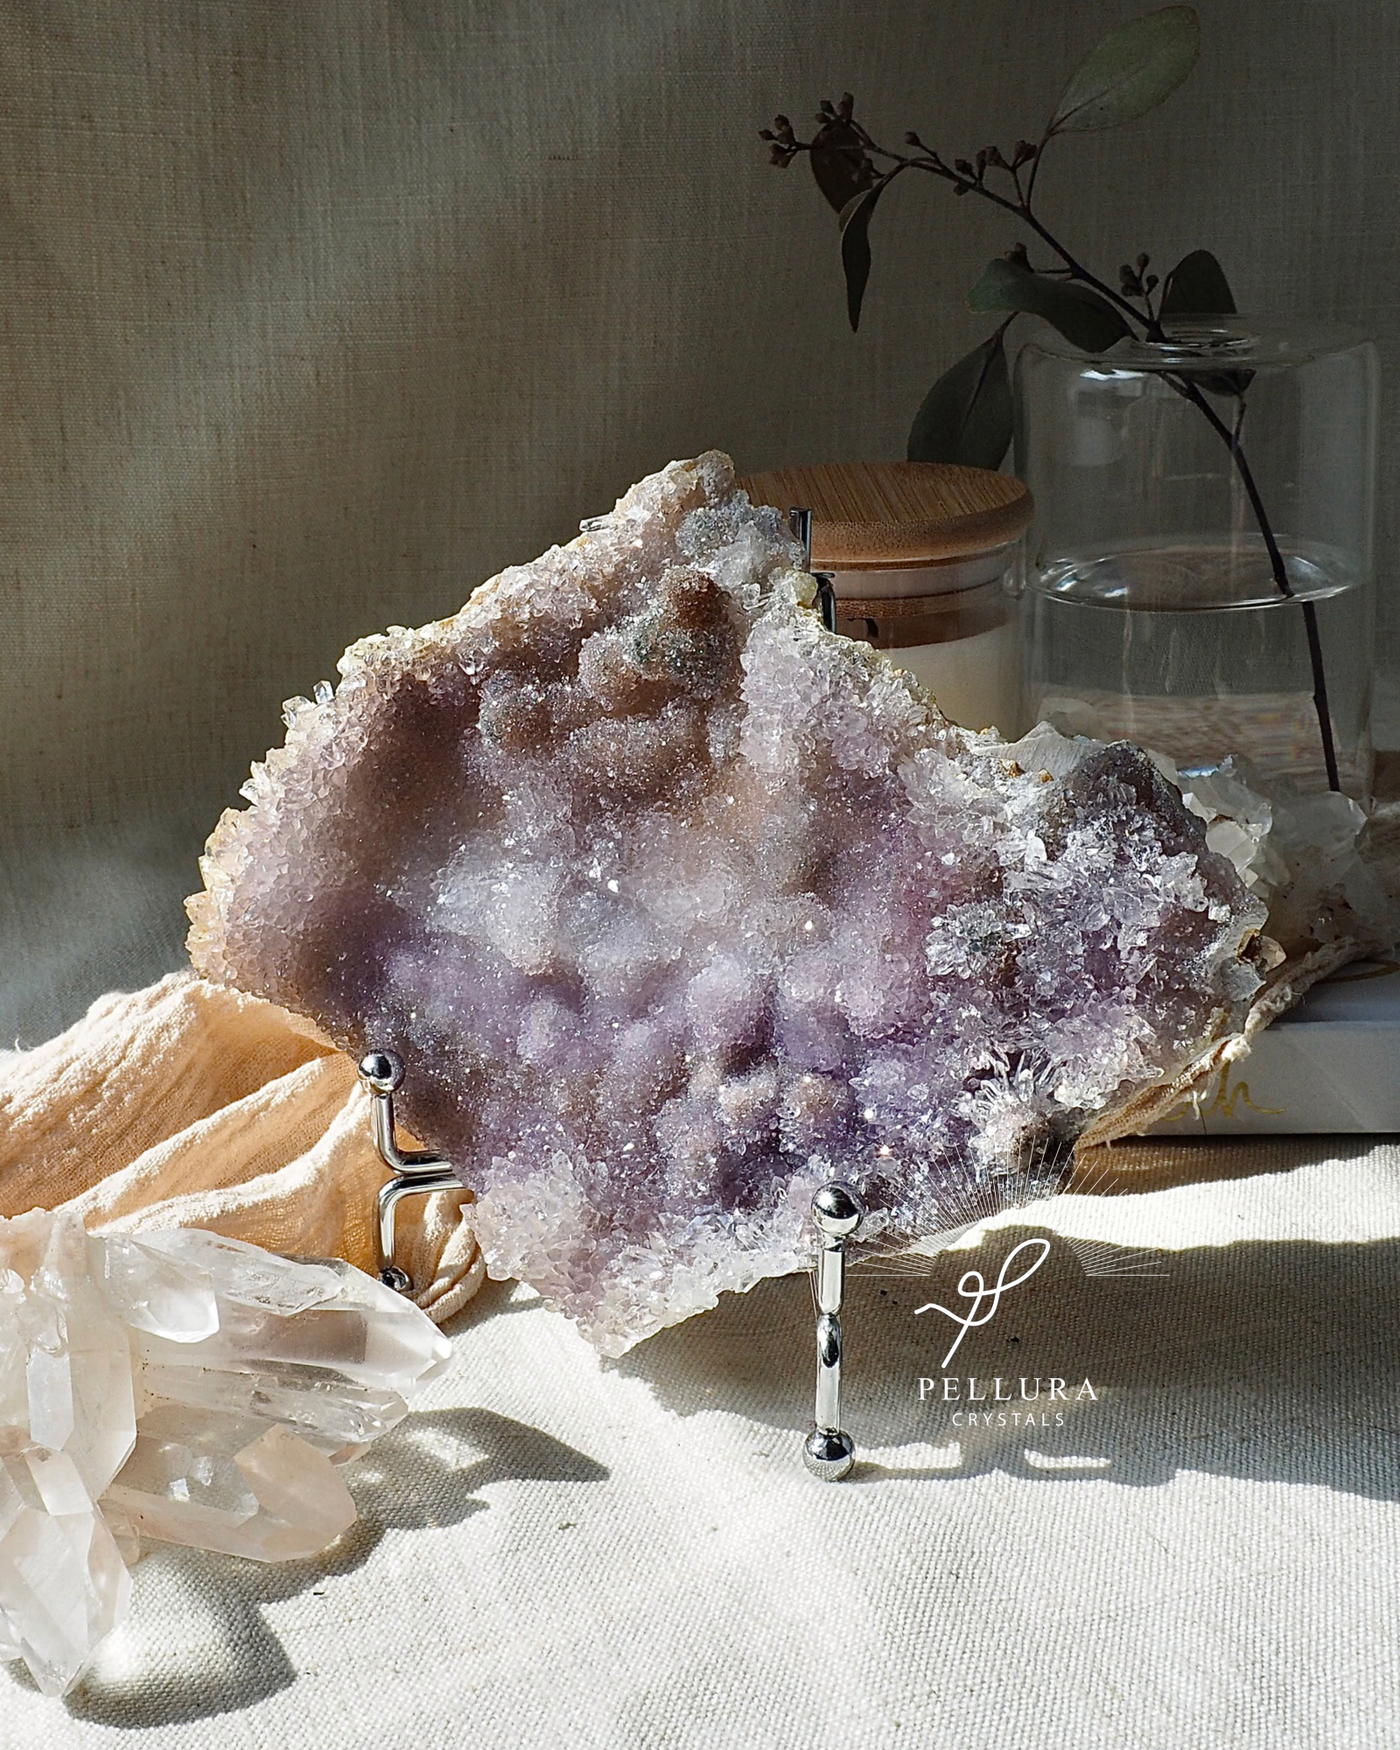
185, 1389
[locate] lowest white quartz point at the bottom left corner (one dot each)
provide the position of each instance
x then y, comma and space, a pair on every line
64, 1586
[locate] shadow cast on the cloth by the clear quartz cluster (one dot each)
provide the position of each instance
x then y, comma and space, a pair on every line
428, 1473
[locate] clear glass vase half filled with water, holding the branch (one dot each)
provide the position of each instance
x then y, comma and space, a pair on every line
1156, 608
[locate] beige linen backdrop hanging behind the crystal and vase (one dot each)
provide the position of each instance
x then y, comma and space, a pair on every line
316, 316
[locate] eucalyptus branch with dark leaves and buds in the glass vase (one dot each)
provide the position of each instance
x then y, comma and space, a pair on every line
967, 416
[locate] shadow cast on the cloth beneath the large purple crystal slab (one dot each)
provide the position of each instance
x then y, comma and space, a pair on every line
1264, 1361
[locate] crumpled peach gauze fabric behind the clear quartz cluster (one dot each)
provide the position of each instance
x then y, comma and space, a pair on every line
193, 1107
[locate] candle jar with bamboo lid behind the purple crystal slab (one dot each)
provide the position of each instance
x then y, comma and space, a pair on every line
925, 561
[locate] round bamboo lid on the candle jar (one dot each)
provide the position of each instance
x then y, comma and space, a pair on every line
897, 515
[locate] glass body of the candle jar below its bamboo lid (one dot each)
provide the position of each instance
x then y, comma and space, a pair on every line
953, 626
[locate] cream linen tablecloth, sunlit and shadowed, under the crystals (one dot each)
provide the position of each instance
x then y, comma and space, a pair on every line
568, 1555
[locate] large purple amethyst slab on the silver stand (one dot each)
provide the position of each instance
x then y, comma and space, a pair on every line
676, 906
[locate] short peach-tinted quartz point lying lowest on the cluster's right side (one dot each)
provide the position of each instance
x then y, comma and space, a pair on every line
234, 1483
